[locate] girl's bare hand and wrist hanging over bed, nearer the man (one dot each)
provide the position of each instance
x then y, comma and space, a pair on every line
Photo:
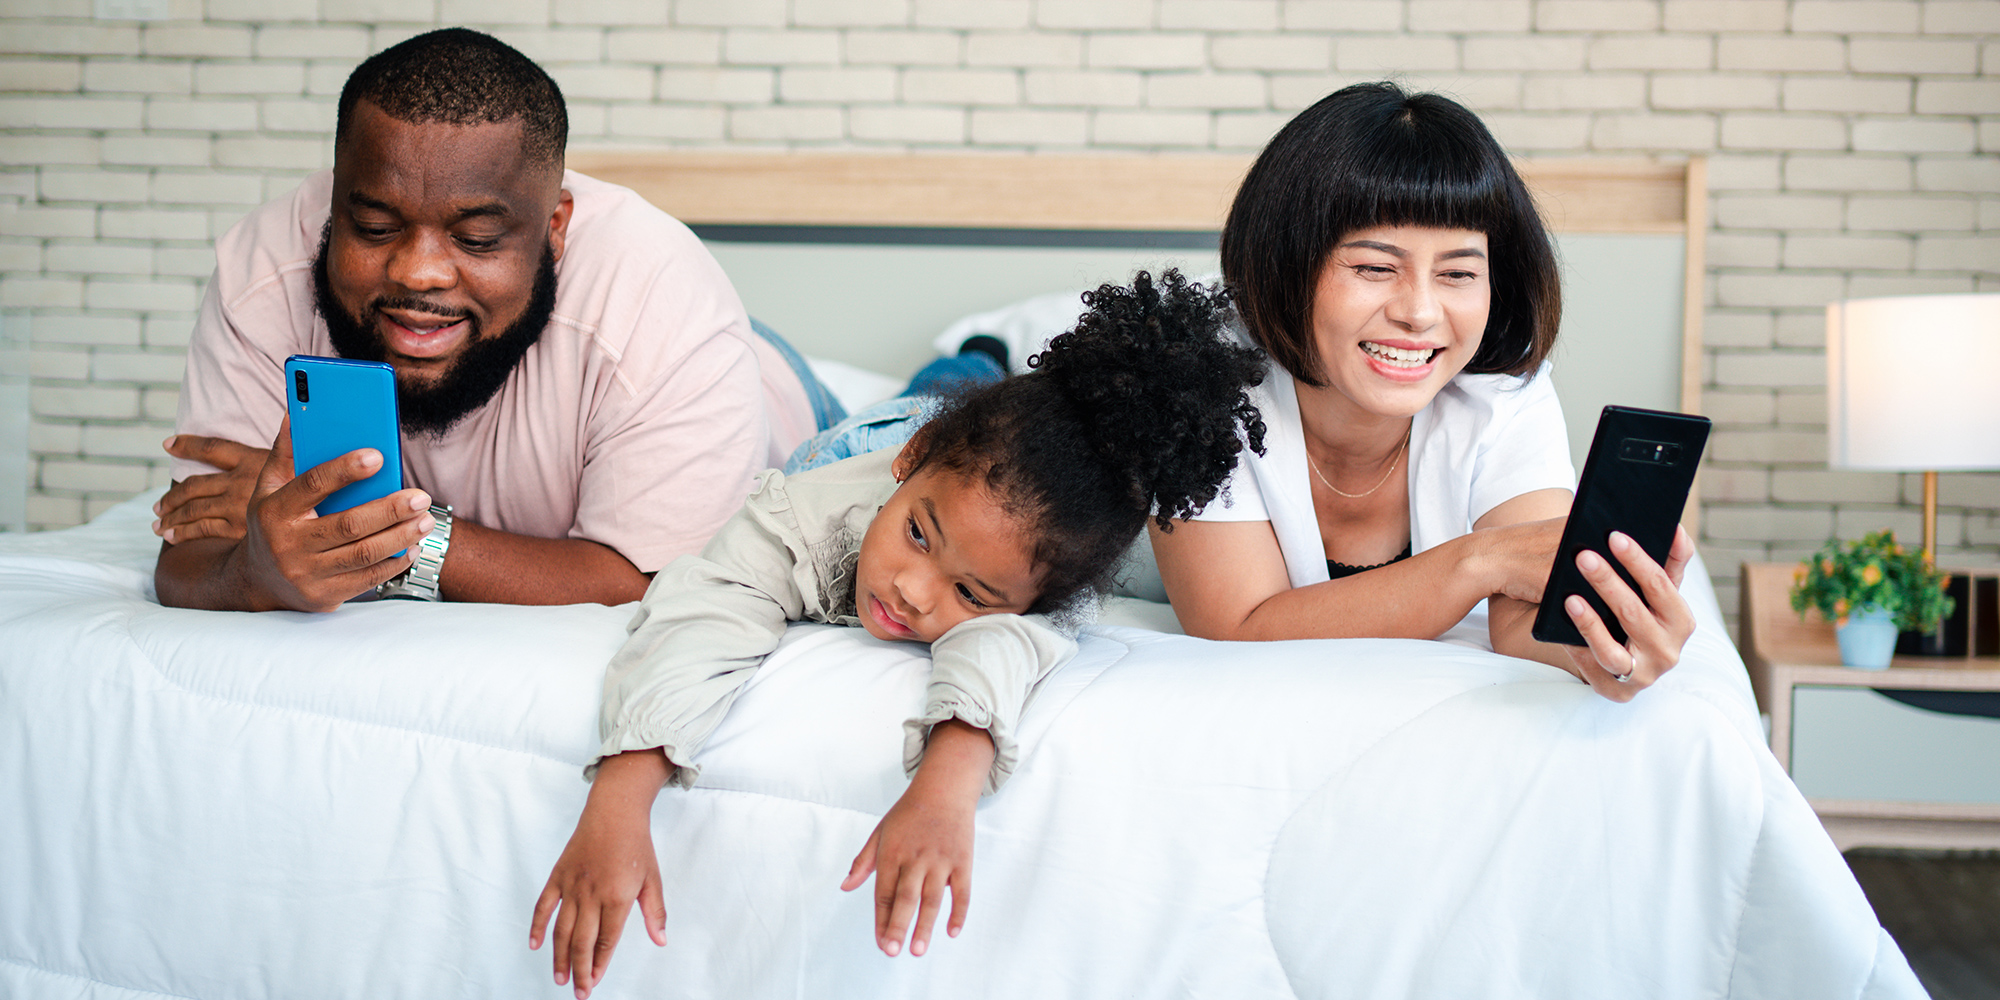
607, 865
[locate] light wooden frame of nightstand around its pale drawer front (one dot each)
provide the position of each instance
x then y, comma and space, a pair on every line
1785, 653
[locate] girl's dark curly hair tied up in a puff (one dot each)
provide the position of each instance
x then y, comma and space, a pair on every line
1133, 413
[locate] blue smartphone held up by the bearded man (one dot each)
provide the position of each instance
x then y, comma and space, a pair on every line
339, 407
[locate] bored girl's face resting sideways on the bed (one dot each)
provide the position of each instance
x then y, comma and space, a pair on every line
939, 553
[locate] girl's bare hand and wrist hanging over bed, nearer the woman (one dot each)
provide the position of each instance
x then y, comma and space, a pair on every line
925, 841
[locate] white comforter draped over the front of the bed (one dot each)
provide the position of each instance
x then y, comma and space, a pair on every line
367, 805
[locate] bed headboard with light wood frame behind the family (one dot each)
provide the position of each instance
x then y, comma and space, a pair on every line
867, 257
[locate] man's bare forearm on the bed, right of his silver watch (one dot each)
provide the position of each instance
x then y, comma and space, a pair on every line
497, 567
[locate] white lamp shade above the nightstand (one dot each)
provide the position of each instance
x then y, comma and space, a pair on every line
1913, 383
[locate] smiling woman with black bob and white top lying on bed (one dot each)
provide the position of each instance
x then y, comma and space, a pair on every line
1397, 275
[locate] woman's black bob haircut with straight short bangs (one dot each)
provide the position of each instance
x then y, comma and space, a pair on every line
1373, 155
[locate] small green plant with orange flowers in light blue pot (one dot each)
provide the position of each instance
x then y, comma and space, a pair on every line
1871, 591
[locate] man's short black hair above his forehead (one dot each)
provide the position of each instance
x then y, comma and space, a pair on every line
461, 77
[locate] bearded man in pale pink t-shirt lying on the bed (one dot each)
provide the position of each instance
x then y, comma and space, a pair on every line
583, 397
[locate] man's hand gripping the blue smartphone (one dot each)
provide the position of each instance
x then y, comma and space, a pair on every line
297, 559
